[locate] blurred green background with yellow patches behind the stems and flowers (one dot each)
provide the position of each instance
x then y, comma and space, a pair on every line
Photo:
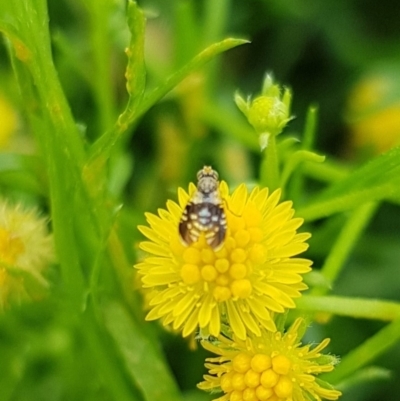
343, 56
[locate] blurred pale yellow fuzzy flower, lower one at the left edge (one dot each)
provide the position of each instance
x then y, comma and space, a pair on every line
26, 249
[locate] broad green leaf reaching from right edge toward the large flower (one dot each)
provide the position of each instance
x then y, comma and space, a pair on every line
376, 180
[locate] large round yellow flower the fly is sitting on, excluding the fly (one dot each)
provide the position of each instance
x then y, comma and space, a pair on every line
254, 275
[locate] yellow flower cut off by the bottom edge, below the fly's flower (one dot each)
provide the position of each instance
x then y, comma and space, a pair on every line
273, 367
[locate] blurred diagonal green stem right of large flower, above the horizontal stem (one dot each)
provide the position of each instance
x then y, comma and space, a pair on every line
345, 243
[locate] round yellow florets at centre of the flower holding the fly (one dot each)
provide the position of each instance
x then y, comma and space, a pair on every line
226, 273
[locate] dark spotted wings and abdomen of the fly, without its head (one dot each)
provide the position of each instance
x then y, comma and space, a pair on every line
208, 218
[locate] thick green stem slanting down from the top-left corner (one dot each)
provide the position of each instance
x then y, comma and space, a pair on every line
59, 140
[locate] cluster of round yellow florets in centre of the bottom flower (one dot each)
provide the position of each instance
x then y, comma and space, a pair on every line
258, 378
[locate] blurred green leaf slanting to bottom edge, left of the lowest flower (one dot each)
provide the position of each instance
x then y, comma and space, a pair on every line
143, 361
